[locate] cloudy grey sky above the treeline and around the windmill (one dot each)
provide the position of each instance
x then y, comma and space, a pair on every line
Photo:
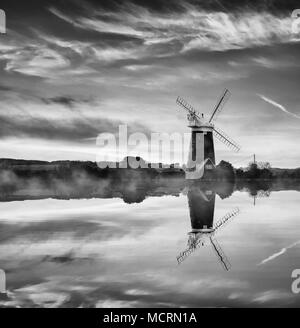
70, 70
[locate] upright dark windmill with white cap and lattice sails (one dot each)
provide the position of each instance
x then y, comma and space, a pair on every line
201, 151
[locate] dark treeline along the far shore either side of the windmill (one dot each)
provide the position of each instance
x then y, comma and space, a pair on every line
65, 170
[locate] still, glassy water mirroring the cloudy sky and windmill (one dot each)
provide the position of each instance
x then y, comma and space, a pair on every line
104, 252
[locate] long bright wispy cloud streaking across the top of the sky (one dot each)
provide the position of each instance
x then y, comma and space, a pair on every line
192, 28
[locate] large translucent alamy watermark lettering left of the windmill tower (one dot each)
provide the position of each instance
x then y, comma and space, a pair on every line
123, 150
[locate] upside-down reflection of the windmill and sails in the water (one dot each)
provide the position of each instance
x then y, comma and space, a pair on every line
201, 202
